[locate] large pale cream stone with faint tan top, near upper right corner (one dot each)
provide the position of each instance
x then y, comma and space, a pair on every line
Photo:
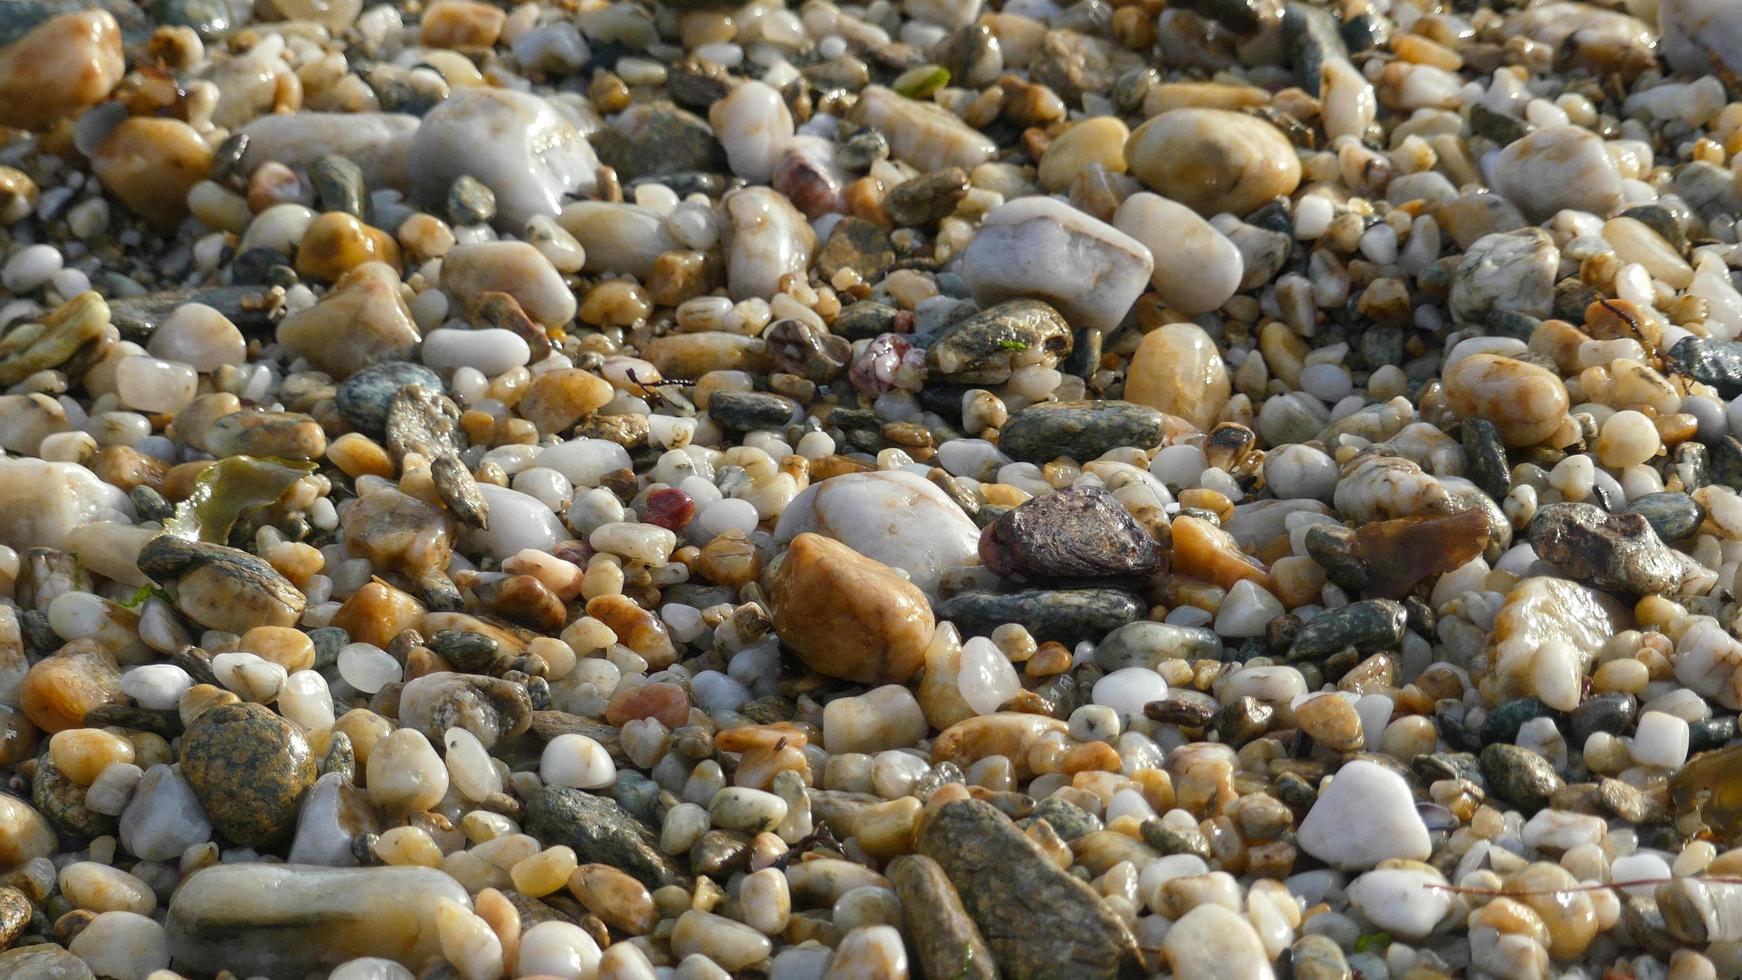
1558, 168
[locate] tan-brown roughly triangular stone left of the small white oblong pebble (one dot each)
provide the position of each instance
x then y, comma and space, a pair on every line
360, 323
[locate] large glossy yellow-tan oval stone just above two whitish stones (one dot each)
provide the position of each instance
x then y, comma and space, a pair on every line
1213, 161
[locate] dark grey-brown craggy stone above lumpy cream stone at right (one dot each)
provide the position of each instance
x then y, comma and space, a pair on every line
1610, 551
